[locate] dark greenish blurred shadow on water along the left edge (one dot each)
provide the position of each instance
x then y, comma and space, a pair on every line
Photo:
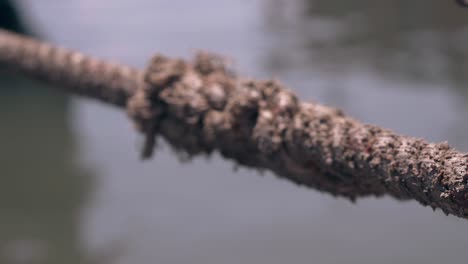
41, 189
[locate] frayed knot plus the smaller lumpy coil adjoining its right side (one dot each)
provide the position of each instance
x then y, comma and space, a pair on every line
182, 99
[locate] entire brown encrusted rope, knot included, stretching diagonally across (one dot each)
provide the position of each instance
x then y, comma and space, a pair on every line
201, 107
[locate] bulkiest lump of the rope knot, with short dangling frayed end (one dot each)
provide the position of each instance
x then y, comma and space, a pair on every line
178, 90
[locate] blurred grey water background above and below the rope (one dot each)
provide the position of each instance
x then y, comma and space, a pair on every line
73, 190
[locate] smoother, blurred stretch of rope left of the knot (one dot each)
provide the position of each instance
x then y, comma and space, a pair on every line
72, 70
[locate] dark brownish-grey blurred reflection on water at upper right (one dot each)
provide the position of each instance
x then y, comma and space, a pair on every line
413, 40
